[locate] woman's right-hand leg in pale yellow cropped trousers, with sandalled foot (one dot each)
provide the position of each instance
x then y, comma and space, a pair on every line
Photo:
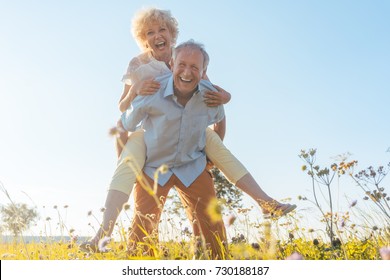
238, 175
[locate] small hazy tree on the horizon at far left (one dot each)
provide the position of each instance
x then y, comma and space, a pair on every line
17, 217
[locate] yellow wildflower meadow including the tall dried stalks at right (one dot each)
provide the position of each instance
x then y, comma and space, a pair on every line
352, 234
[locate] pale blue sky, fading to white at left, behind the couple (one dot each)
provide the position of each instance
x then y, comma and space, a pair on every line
303, 74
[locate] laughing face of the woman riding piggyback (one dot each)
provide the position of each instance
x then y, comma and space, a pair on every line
159, 41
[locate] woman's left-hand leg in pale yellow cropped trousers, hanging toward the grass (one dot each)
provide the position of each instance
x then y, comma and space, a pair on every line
129, 166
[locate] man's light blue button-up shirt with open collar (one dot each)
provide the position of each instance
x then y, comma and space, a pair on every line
175, 135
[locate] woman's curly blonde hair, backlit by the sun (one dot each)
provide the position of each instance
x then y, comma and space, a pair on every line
144, 18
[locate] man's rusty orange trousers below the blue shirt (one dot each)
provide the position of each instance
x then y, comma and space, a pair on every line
195, 199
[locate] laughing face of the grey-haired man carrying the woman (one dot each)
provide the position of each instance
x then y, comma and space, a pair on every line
187, 70
